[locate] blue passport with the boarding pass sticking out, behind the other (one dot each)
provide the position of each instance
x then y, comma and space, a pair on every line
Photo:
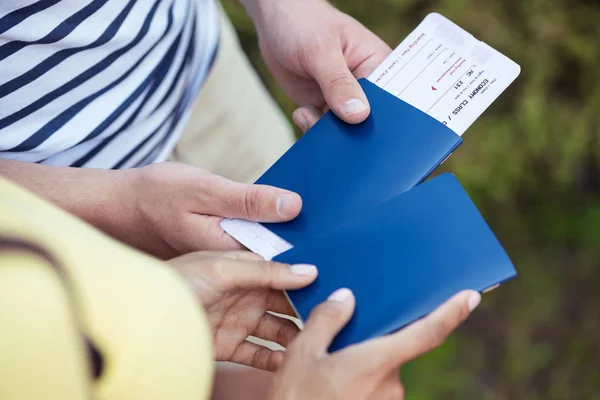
340, 169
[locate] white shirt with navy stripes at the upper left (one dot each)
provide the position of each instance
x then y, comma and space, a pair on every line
99, 83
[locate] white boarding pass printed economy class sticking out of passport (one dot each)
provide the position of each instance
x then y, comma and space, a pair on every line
446, 72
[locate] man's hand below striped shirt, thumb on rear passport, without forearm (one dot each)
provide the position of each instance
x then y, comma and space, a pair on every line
178, 209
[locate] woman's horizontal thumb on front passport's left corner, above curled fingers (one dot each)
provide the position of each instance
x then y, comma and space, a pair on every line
263, 274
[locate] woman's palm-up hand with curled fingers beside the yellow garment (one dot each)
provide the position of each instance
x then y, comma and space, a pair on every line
237, 289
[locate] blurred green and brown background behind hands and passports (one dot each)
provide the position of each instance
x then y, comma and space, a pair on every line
532, 165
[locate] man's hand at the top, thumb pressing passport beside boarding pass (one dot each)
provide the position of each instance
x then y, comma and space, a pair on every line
316, 53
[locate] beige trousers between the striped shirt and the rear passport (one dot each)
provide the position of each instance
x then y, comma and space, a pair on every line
236, 129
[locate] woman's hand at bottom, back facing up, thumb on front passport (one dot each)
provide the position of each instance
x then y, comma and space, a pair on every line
365, 371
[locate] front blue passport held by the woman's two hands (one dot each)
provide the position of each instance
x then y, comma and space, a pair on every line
402, 259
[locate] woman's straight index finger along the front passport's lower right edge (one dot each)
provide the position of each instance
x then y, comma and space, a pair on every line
392, 351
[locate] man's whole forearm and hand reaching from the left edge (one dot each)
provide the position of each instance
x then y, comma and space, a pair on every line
165, 209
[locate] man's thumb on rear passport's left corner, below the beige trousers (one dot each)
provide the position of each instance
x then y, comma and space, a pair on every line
260, 203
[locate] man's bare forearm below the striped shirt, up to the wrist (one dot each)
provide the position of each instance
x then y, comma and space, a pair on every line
94, 195
